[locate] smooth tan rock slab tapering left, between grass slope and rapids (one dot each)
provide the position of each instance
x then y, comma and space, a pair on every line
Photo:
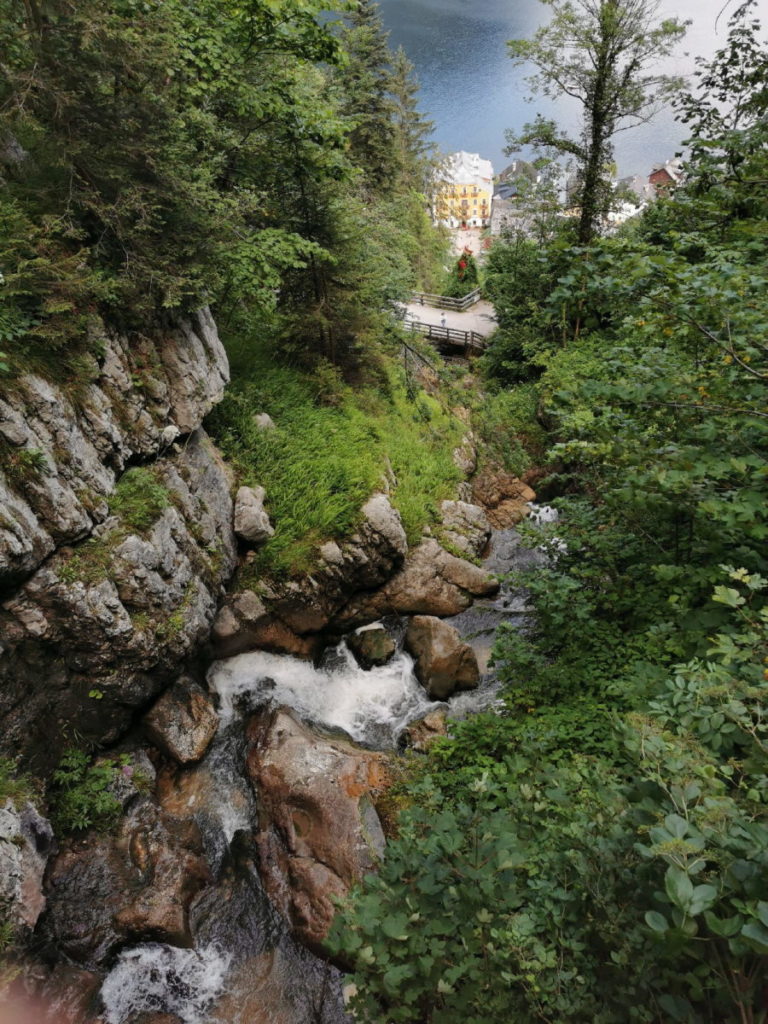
432, 582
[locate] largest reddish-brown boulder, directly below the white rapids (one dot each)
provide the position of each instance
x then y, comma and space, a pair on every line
319, 831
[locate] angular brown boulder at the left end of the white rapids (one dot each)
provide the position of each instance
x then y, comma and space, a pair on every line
184, 722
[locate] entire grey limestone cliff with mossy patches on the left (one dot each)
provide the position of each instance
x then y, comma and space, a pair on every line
103, 604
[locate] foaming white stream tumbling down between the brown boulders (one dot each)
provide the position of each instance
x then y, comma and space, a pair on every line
245, 965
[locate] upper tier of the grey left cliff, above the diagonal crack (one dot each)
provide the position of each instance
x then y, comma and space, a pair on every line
60, 461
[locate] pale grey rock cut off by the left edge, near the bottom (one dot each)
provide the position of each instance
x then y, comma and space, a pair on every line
26, 842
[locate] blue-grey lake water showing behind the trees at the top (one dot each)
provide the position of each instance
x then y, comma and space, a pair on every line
472, 91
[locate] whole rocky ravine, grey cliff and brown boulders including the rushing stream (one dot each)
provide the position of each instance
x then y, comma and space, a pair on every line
248, 801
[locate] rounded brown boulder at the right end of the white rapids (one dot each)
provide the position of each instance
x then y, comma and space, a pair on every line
444, 662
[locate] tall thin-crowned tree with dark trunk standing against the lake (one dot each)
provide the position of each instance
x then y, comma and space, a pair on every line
602, 54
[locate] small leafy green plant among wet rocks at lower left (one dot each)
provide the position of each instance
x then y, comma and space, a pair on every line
81, 794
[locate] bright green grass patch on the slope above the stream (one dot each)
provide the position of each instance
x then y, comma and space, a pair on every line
331, 449
